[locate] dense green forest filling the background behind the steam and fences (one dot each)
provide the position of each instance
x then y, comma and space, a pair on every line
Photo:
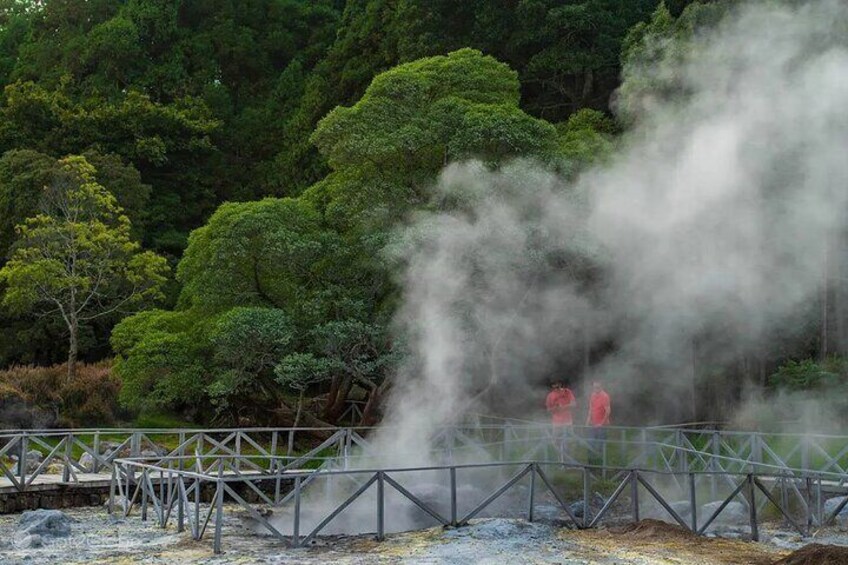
194, 194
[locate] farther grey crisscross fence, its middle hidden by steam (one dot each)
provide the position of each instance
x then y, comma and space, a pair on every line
80, 455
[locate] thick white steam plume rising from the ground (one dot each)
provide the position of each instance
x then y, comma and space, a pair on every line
705, 233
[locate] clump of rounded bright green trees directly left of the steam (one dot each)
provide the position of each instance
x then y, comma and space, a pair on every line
309, 270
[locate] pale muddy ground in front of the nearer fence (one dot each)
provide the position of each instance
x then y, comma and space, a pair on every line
99, 538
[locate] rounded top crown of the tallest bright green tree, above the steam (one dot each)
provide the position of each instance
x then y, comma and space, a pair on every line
386, 149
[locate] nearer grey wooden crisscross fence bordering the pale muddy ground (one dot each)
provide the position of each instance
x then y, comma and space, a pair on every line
172, 493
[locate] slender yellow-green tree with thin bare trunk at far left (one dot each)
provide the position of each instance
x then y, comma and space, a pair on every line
75, 260
